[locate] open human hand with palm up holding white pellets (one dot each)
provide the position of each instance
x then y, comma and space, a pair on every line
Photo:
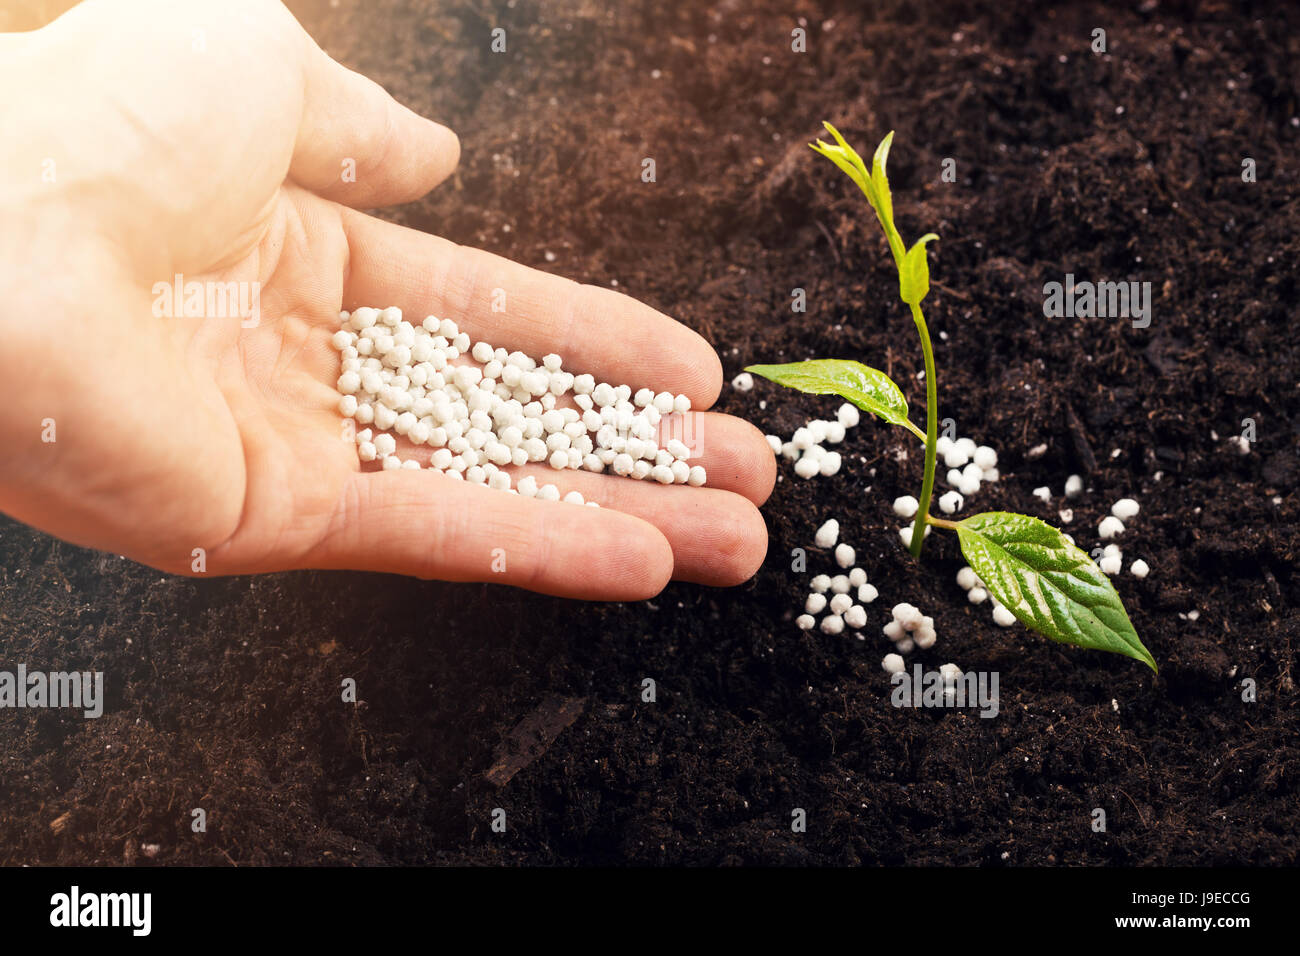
209, 140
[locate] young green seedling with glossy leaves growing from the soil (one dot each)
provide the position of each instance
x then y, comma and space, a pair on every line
1029, 566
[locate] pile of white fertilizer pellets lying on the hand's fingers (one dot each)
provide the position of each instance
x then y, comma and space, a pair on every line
486, 409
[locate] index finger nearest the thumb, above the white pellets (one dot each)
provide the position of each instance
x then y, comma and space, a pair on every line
595, 331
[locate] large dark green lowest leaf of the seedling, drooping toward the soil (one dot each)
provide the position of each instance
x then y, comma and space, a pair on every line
1048, 585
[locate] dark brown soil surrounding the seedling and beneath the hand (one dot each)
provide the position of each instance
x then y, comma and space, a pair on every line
226, 694
